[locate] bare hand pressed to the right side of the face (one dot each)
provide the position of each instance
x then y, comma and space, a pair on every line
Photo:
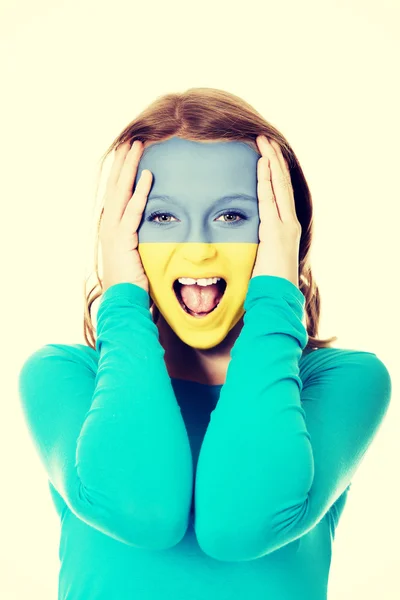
279, 231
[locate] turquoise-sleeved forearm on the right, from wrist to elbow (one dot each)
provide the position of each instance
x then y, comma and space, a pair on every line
256, 458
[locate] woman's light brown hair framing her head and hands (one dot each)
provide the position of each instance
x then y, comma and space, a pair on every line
207, 114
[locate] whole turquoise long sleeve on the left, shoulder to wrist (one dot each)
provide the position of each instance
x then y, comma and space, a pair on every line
112, 439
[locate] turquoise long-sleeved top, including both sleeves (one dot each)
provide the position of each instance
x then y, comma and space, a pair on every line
171, 489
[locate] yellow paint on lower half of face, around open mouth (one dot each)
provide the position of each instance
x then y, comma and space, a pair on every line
166, 262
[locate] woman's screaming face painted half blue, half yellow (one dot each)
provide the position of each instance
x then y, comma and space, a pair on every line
201, 220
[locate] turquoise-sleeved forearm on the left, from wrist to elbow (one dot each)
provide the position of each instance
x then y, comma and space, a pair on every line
133, 453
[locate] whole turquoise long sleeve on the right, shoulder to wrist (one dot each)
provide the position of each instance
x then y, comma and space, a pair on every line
279, 449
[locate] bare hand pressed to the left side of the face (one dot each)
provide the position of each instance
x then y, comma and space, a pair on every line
122, 215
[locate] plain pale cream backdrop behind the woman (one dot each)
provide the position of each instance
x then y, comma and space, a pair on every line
73, 75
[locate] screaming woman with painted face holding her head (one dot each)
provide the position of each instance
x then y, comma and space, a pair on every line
199, 447
